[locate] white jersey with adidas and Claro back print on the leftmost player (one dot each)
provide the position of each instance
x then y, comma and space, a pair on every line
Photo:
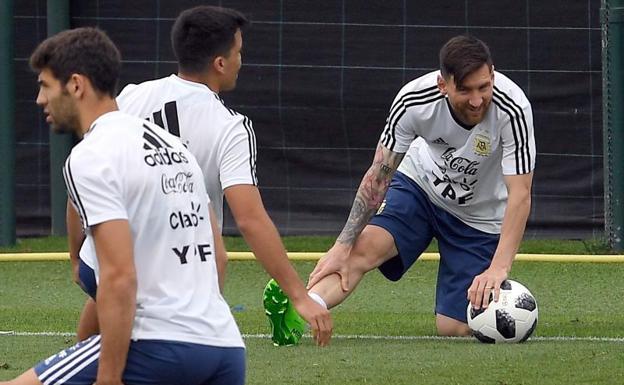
127, 168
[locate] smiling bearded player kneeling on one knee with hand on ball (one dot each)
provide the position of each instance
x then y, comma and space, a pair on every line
461, 143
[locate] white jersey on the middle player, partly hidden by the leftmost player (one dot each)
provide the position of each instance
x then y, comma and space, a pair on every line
222, 140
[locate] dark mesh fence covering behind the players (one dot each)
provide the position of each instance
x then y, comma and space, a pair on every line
318, 79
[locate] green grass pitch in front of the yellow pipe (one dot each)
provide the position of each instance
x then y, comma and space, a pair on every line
382, 332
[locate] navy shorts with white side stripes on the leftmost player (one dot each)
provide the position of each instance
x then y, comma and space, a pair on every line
149, 362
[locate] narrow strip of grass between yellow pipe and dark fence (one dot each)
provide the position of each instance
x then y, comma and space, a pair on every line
323, 243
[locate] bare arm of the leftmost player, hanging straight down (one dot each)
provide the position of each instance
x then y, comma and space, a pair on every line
116, 296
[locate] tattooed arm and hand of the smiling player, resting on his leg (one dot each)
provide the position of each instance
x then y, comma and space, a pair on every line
368, 198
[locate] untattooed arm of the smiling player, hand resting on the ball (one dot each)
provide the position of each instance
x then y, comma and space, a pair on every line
512, 231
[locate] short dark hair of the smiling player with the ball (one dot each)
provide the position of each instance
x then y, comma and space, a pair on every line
463, 55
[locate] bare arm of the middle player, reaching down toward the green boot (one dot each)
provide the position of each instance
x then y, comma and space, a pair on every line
264, 240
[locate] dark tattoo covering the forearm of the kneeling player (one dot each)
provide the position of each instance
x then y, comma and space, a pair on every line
371, 193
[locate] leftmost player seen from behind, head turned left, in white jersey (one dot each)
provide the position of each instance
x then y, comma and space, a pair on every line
149, 252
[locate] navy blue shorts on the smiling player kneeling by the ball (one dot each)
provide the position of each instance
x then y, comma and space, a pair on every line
413, 221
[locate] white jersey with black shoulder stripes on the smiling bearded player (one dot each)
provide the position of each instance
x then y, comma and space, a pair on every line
461, 168
